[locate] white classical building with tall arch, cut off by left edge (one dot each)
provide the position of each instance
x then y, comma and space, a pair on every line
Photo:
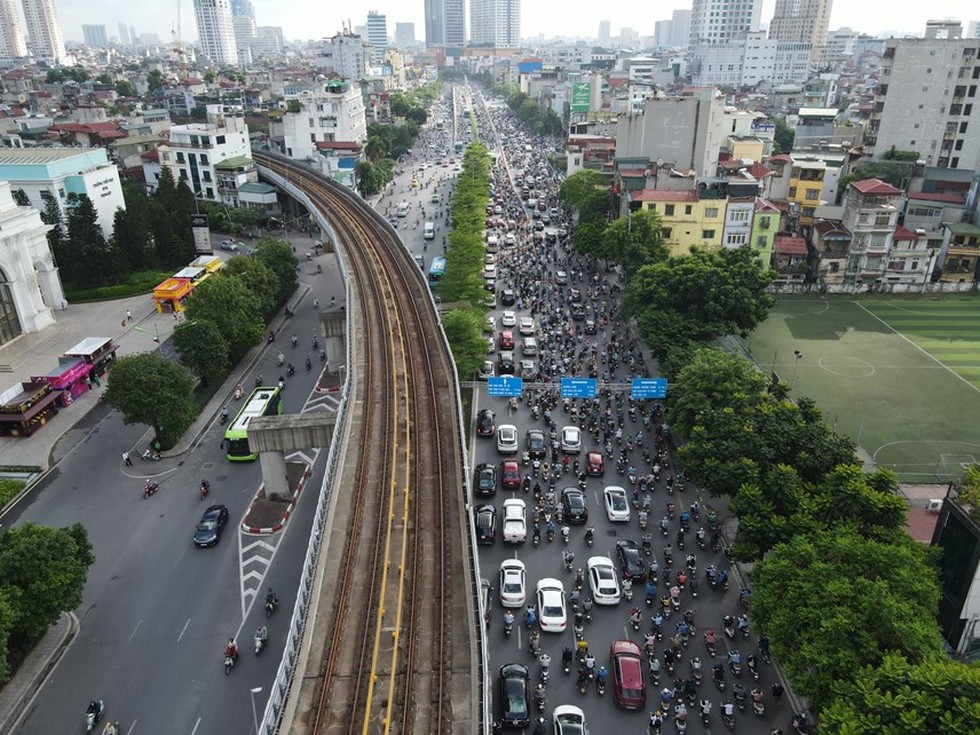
30, 289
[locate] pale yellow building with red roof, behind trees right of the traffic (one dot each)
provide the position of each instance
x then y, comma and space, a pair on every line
686, 220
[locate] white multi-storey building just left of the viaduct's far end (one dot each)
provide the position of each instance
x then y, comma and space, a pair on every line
198, 149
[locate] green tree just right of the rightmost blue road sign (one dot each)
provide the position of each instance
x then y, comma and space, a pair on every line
712, 380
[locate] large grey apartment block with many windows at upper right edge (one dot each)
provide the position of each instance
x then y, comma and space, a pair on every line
927, 102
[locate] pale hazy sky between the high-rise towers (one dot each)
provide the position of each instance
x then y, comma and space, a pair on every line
304, 19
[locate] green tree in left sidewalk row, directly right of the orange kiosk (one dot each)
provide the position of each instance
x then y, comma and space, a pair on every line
232, 308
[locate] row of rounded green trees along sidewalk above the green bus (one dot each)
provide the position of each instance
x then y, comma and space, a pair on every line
225, 317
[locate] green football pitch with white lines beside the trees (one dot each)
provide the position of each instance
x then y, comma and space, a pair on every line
899, 375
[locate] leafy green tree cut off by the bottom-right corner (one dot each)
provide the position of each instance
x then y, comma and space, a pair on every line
937, 696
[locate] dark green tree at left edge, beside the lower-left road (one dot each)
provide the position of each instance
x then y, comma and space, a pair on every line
43, 572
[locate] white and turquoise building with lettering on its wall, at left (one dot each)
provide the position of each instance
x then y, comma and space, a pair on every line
54, 173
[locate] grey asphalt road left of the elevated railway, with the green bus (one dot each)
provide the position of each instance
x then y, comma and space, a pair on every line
157, 611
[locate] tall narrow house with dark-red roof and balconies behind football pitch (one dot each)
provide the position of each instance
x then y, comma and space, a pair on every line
871, 210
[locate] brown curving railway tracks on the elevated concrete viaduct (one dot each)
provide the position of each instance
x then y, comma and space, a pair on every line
387, 656
